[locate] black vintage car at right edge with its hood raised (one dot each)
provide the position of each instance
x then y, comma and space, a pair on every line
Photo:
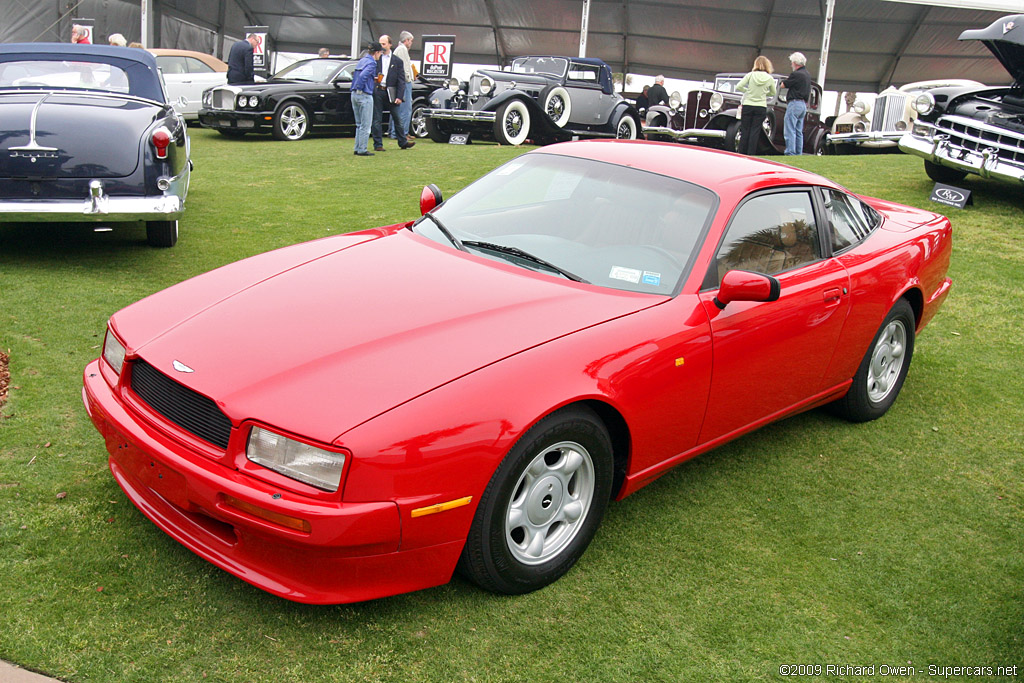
976, 131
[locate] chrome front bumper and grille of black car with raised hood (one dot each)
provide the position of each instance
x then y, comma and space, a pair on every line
968, 146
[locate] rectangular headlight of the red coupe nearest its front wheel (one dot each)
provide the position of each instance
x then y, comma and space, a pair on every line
295, 460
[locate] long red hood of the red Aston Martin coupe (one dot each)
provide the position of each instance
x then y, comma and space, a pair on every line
319, 338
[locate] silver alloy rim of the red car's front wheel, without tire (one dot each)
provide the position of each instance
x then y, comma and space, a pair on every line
550, 503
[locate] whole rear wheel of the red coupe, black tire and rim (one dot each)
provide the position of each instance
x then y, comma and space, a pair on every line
883, 370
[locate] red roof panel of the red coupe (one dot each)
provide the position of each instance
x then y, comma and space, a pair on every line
723, 173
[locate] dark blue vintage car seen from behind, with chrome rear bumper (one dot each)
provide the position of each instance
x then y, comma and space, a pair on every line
89, 137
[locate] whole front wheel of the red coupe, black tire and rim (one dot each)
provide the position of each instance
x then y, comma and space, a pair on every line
543, 505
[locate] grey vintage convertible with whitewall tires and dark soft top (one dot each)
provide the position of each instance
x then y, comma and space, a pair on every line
543, 99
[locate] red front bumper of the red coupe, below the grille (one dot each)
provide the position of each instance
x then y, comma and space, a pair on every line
351, 553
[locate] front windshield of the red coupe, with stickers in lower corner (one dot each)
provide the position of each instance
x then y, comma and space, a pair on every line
592, 222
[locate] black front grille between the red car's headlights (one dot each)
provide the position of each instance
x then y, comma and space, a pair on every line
189, 410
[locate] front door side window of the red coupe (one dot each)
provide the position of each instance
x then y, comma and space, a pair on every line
770, 234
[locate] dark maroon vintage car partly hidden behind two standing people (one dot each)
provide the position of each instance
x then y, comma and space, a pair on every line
710, 117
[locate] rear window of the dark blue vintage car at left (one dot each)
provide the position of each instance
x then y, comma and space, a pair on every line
78, 75
